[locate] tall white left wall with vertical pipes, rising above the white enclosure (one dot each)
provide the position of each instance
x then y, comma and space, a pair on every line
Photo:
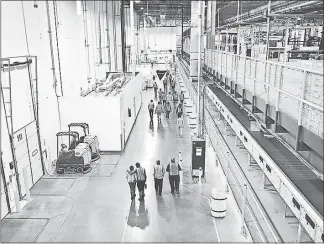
73, 53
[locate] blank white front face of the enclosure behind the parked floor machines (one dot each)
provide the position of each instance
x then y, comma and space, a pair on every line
101, 113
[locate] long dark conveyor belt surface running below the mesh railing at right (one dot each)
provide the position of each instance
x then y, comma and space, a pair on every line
302, 177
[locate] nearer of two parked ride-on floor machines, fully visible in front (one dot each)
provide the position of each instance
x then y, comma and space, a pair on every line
76, 158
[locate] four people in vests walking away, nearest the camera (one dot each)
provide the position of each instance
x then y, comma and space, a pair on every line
138, 177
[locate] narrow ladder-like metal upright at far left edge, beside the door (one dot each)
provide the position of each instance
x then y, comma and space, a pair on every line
7, 103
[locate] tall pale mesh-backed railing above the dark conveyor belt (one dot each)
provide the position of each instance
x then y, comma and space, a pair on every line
296, 92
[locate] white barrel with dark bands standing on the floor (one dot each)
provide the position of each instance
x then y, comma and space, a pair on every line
218, 203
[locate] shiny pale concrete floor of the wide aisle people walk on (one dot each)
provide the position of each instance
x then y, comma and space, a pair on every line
97, 208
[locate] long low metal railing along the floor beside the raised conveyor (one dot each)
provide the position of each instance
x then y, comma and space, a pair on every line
256, 219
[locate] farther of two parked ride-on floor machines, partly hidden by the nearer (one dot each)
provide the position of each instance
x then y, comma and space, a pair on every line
91, 140
